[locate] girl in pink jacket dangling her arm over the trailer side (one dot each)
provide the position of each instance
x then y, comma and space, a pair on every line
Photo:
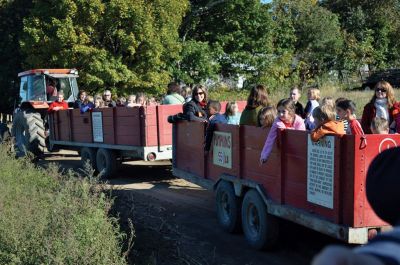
287, 119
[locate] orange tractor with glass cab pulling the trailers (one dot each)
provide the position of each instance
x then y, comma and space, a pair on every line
38, 89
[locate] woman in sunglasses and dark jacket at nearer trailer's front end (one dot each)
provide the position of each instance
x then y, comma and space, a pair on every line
195, 109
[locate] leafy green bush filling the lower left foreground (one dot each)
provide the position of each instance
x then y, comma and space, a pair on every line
52, 218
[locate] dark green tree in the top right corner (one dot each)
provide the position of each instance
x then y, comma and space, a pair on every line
371, 31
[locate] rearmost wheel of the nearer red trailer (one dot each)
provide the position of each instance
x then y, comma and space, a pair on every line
260, 228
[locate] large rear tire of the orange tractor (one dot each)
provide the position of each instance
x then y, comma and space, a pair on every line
29, 133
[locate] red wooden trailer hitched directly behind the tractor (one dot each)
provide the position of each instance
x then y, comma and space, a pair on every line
107, 136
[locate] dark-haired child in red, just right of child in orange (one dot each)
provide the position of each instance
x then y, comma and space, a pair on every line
346, 111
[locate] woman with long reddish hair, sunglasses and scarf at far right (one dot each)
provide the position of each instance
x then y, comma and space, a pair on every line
381, 105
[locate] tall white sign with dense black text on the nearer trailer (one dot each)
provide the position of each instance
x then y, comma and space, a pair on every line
320, 171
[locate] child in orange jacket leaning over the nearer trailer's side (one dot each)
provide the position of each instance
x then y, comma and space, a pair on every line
326, 123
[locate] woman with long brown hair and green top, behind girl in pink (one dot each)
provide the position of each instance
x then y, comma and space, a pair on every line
257, 100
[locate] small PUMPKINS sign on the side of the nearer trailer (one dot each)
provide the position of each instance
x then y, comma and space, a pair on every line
222, 149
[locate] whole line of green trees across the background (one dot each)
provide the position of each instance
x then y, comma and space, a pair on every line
141, 45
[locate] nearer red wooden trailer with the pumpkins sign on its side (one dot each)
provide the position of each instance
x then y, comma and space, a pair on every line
318, 185
